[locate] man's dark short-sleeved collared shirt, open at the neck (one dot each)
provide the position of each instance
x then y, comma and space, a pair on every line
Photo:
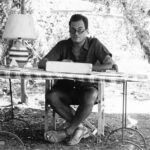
91, 52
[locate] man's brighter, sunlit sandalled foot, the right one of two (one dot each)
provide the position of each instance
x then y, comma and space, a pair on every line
80, 132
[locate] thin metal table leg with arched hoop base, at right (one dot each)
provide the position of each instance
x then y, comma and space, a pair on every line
123, 134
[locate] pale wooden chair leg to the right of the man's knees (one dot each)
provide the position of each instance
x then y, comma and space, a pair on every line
101, 117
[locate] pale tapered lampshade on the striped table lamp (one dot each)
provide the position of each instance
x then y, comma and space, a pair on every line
19, 26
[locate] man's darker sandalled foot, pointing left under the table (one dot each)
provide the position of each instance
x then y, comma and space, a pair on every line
55, 136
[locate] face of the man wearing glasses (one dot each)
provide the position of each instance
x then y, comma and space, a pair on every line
77, 31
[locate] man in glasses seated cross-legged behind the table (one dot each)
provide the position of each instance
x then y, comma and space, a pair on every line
78, 48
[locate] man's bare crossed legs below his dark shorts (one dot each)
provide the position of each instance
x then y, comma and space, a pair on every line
61, 102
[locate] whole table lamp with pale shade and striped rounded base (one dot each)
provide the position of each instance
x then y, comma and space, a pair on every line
19, 27
